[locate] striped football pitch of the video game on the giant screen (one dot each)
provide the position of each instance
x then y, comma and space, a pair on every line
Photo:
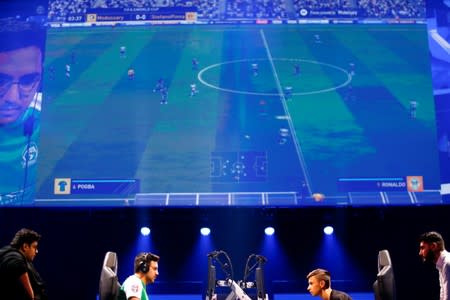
325, 109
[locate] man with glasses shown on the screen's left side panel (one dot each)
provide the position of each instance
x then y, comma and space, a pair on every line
21, 58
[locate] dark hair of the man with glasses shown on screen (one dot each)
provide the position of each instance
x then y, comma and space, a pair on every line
16, 34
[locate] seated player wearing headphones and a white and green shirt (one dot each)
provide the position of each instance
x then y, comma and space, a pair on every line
145, 272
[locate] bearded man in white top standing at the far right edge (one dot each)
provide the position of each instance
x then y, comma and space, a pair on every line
432, 250
